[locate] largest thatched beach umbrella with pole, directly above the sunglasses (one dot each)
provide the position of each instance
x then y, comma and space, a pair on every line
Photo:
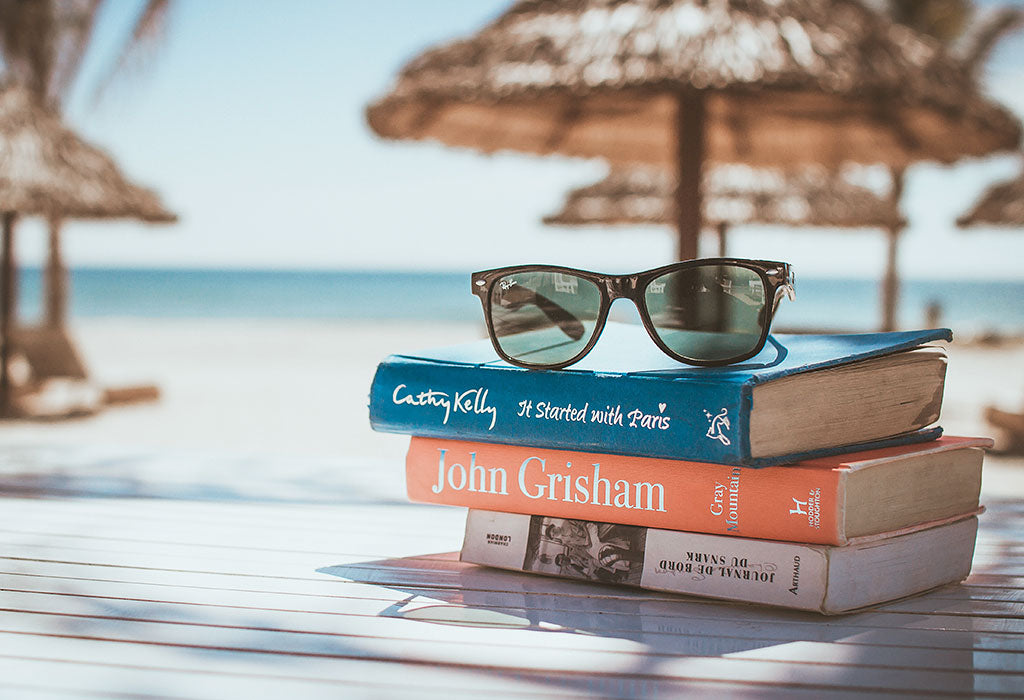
675, 84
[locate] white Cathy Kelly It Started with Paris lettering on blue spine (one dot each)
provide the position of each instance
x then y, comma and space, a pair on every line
475, 402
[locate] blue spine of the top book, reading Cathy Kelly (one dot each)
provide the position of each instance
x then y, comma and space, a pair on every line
693, 420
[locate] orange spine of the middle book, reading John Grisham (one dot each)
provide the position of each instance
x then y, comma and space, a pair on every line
796, 504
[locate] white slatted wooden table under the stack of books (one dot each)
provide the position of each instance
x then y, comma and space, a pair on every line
135, 576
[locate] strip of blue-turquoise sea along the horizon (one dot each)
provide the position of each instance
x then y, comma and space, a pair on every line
967, 307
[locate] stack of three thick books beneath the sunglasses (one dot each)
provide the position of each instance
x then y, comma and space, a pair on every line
808, 477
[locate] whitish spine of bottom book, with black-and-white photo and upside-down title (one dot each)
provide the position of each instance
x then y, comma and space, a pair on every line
786, 575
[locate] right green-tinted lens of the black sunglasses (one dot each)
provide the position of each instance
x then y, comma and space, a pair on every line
709, 313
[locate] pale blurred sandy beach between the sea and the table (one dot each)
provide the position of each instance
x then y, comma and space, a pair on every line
297, 390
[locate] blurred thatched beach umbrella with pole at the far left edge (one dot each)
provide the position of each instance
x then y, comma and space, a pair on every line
47, 170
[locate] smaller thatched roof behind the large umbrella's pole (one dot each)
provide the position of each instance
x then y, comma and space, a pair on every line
736, 196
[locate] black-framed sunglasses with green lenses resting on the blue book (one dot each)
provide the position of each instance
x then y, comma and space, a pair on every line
708, 313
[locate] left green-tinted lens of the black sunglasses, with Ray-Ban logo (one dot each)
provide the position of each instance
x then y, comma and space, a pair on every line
544, 319
